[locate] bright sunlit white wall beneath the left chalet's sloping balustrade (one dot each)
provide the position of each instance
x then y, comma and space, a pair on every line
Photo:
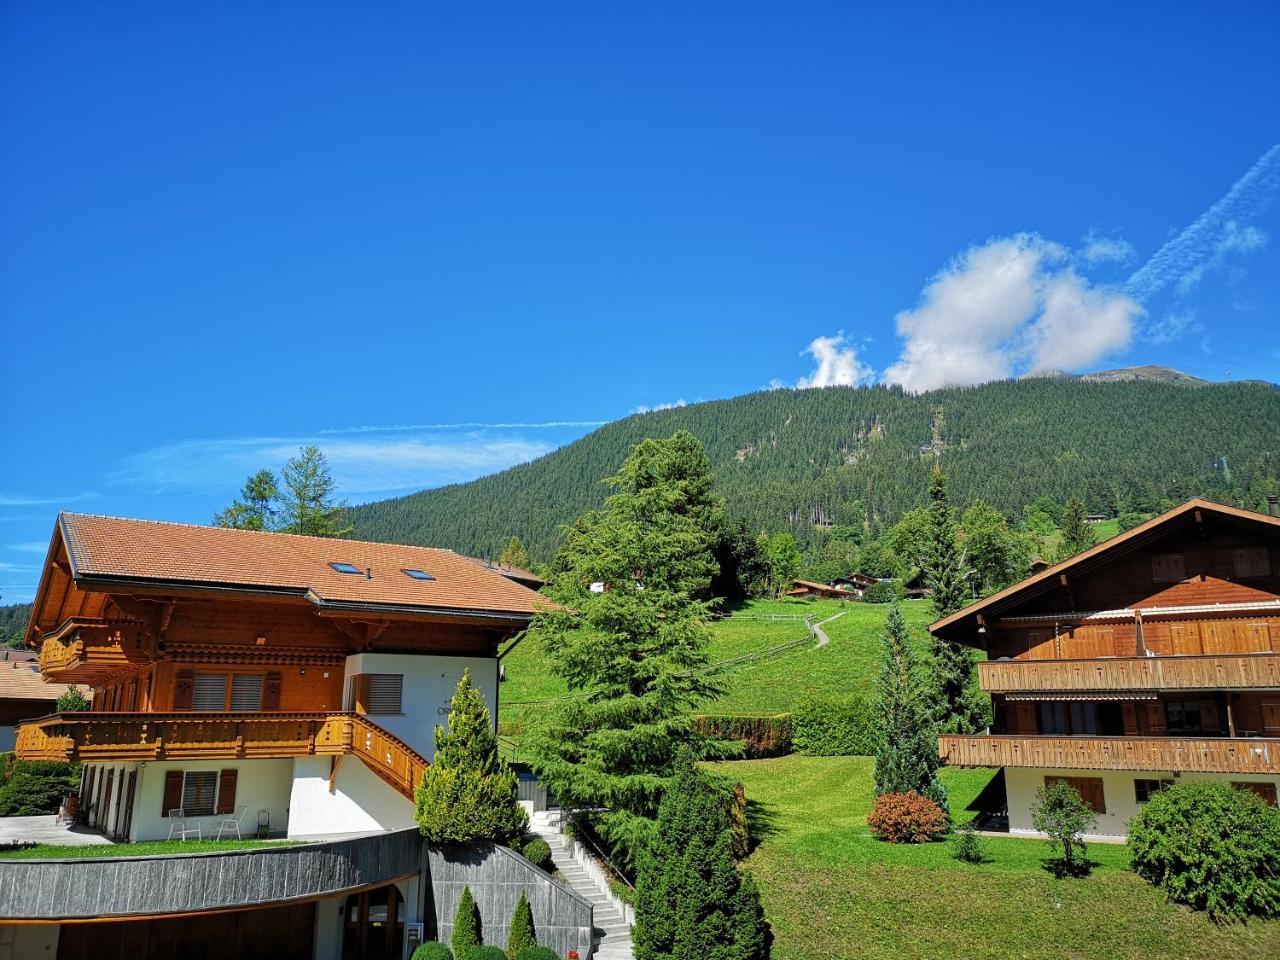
360, 803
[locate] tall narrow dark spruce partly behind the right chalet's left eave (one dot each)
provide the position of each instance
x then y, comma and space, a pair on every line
947, 573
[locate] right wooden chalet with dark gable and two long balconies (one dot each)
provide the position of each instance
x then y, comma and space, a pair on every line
1146, 660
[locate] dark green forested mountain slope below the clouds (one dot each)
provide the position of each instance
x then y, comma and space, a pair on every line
806, 459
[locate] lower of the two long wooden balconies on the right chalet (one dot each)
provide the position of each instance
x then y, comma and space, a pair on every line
1191, 755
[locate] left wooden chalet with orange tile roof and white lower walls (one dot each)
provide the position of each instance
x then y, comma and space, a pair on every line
284, 687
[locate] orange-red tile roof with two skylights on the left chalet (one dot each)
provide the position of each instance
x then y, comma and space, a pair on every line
180, 554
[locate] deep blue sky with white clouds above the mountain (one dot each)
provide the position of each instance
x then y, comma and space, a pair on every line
440, 240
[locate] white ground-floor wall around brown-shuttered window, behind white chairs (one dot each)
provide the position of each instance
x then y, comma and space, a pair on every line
259, 785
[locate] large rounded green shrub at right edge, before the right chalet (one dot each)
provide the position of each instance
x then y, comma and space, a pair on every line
1210, 847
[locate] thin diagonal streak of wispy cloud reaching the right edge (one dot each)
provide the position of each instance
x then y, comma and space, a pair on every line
1220, 231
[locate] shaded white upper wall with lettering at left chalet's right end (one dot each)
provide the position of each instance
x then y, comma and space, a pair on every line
429, 685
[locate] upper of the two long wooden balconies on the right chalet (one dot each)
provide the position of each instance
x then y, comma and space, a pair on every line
1245, 671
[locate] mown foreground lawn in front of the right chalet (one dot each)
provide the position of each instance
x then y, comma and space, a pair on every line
834, 892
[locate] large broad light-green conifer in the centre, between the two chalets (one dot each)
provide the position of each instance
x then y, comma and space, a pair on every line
636, 655
